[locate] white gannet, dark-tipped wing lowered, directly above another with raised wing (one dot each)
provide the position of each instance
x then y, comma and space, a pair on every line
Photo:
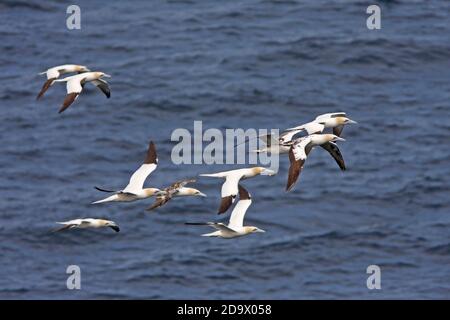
230, 186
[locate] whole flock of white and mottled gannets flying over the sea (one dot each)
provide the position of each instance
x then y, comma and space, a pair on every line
297, 142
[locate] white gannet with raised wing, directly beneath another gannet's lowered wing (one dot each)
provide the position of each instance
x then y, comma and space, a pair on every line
235, 227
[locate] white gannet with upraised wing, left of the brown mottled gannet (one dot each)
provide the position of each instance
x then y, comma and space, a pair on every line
134, 190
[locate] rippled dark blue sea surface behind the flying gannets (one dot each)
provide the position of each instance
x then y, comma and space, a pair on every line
234, 64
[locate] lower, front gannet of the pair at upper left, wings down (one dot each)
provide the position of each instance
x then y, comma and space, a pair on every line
76, 83
